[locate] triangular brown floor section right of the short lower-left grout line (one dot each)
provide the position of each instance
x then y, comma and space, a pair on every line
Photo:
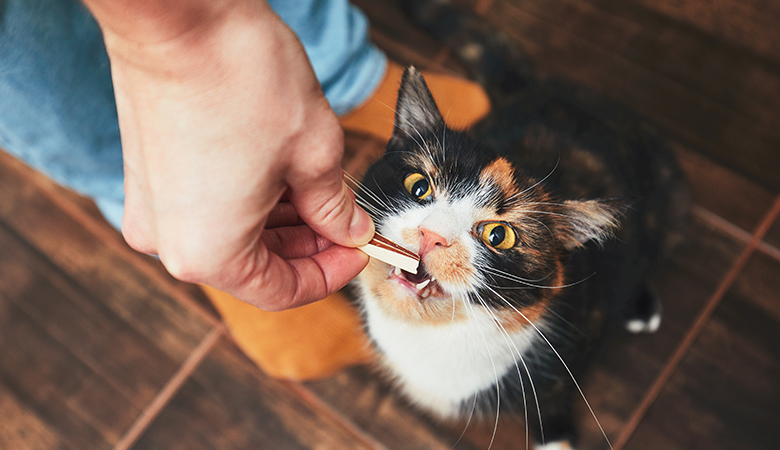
228, 404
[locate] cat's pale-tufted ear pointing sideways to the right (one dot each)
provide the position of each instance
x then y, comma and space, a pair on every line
580, 221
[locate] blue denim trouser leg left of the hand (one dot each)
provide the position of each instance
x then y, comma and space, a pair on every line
57, 111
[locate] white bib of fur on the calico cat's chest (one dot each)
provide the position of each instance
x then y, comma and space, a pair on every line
441, 366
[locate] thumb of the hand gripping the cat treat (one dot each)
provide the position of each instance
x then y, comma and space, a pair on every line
328, 206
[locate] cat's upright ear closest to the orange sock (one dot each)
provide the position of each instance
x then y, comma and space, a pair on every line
416, 112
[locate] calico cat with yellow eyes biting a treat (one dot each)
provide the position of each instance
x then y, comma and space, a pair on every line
536, 230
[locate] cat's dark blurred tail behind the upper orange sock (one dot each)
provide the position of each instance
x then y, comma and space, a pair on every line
488, 55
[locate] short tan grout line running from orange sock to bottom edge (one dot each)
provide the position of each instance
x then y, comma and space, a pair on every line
173, 385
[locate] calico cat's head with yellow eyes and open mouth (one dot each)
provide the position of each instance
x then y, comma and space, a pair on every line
487, 234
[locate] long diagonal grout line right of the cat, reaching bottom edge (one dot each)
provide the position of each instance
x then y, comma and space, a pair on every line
696, 328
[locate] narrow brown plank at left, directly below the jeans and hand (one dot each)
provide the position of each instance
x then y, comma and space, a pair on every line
88, 261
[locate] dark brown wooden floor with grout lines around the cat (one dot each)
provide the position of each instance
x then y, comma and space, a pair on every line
100, 349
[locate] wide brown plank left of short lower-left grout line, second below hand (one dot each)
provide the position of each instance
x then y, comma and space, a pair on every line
83, 371
